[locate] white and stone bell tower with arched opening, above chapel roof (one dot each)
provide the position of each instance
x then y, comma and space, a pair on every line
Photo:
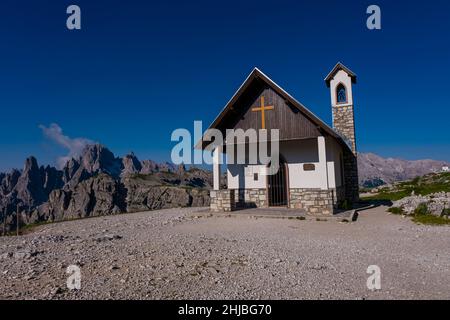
340, 81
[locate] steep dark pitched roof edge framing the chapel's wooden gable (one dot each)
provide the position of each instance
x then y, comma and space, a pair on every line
258, 74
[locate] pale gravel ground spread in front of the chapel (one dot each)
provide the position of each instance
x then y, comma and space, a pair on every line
174, 254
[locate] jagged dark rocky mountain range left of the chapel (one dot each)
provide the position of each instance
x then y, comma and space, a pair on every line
98, 183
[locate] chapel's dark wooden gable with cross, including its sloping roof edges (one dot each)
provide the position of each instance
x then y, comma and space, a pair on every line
293, 120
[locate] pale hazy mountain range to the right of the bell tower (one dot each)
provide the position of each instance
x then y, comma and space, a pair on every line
375, 170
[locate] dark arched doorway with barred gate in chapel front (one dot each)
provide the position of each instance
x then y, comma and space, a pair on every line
277, 186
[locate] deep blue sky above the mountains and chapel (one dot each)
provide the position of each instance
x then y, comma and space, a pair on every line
138, 70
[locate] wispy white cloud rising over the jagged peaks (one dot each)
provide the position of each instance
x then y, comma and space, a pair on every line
74, 146
